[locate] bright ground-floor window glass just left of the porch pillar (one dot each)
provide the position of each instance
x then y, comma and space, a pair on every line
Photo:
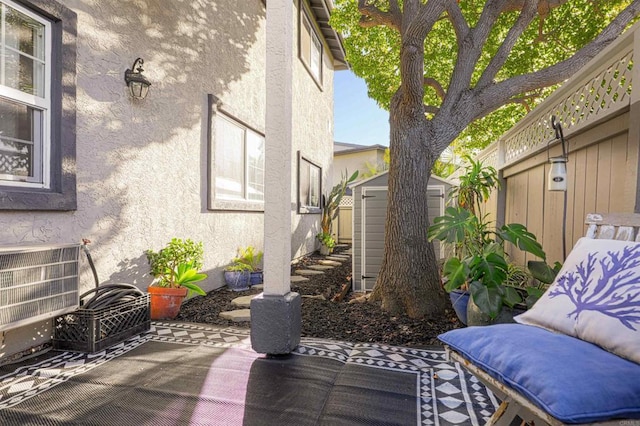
237, 165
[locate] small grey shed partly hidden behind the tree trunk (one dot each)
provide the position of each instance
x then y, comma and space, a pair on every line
369, 215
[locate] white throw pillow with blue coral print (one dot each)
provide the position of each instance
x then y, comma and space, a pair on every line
595, 297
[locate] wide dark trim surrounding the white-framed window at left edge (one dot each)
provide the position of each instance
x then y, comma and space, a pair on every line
61, 196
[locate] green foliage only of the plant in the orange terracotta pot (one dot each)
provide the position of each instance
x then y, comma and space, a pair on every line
178, 264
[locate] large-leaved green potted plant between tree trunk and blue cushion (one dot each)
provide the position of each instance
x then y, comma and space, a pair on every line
482, 266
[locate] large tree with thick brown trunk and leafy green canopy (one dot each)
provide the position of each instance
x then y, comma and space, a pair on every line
466, 70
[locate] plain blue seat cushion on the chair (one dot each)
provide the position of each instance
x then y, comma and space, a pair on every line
573, 380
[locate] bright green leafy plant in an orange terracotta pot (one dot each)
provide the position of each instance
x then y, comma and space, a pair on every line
175, 268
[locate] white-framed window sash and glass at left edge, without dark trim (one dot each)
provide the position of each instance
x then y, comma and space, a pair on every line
24, 97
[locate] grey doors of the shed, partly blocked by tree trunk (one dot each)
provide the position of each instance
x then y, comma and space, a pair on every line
374, 210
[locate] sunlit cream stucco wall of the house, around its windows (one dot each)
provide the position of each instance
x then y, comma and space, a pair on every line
142, 165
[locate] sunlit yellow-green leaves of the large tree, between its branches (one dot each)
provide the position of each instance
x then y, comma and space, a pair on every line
554, 36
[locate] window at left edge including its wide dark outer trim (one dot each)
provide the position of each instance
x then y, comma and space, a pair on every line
36, 132
